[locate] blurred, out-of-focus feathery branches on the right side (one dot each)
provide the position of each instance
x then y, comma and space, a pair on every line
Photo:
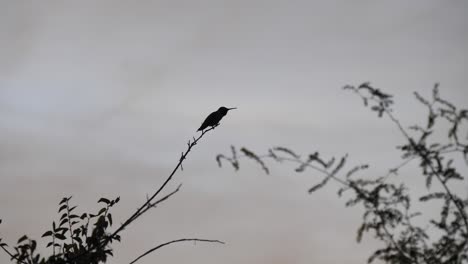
388, 204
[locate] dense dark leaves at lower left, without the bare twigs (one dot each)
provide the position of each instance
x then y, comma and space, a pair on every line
76, 238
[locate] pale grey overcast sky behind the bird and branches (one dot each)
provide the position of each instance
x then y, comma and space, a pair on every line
98, 98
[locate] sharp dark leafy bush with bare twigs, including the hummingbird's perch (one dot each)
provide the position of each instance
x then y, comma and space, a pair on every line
85, 238
